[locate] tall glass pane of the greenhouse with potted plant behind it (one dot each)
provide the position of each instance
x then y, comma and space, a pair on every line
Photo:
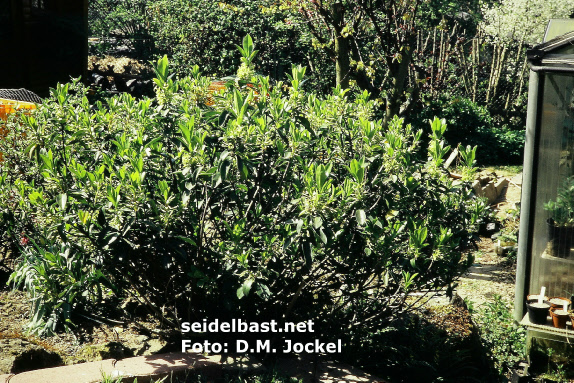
553, 231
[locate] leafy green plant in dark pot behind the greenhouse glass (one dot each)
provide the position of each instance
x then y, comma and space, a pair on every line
561, 221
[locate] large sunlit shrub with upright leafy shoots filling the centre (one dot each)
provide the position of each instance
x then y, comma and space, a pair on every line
267, 205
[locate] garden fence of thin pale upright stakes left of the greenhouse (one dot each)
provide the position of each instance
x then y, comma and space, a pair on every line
489, 73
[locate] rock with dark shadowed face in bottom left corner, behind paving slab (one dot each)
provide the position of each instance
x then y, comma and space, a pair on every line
19, 355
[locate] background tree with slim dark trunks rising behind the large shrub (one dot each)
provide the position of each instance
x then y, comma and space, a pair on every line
373, 41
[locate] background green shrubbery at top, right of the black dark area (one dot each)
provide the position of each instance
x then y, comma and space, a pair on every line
206, 32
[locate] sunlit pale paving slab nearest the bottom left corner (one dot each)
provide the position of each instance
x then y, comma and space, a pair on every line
79, 373
